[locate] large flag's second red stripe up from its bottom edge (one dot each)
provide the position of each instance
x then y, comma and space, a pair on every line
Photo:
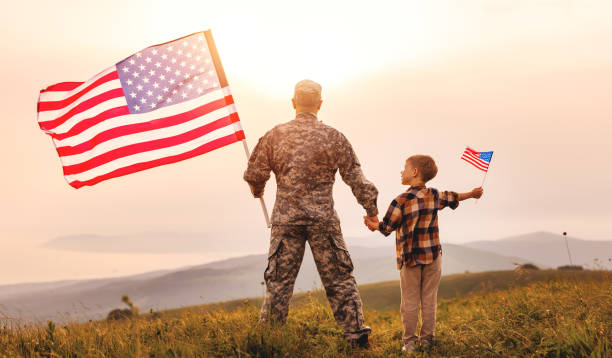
135, 148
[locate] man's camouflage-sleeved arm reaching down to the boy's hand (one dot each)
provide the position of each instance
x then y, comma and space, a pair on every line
350, 171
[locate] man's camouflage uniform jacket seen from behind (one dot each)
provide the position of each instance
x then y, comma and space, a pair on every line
304, 155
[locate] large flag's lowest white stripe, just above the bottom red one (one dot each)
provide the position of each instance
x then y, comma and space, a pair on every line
150, 155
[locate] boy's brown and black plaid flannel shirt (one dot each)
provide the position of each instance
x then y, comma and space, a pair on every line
414, 217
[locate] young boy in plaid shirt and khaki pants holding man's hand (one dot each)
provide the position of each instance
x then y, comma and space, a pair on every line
414, 217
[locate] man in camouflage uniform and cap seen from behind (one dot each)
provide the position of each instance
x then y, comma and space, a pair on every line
304, 155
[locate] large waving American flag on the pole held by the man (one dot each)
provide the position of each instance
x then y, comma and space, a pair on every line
164, 104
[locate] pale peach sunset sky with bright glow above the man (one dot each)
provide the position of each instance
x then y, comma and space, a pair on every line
529, 80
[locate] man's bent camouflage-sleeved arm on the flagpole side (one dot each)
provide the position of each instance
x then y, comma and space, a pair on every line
258, 170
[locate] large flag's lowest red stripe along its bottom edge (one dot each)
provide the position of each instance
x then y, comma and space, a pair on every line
205, 148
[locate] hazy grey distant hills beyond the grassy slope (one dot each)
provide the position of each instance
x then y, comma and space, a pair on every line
242, 276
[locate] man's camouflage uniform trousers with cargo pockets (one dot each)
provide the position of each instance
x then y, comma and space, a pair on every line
335, 268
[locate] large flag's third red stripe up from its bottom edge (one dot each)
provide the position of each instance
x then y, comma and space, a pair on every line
142, 127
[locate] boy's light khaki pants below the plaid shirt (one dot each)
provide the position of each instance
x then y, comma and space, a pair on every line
420, 284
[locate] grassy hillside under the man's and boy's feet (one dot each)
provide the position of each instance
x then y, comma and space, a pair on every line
532, 314
